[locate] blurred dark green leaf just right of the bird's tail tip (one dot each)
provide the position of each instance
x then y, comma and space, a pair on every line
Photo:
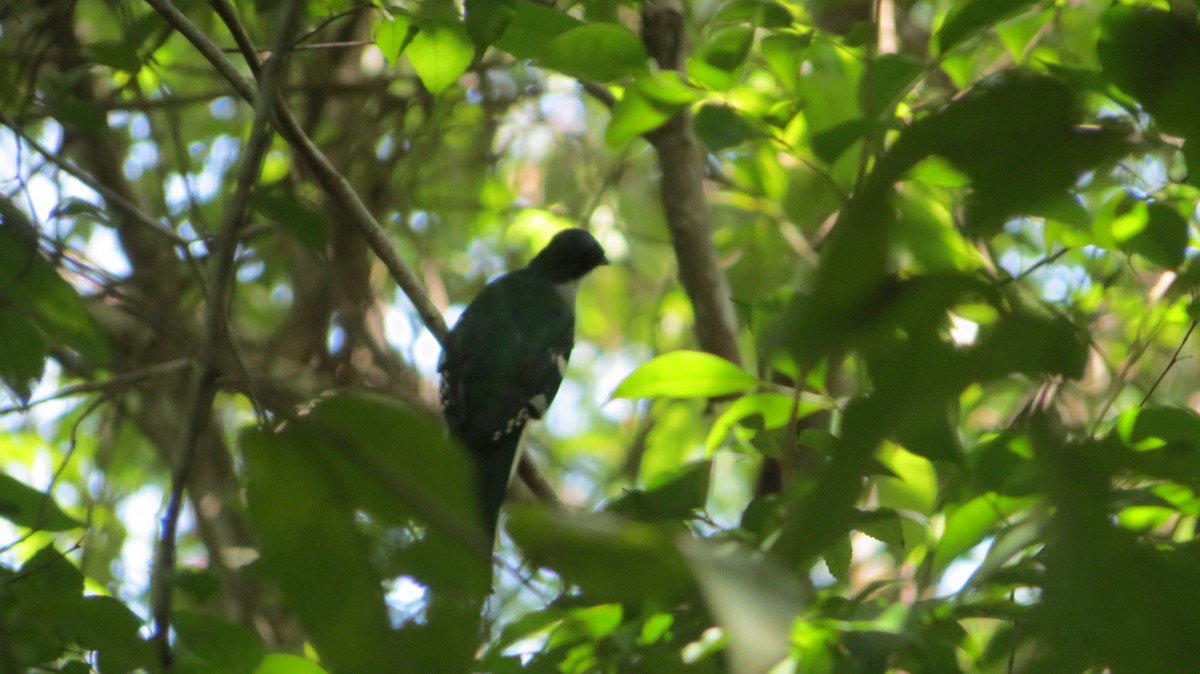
640, 563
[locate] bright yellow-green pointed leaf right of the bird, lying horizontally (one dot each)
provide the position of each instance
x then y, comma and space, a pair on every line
686, 375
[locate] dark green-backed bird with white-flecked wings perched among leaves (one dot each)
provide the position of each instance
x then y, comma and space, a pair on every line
505, 359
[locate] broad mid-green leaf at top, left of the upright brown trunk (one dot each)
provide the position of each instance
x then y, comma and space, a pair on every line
599, 52
